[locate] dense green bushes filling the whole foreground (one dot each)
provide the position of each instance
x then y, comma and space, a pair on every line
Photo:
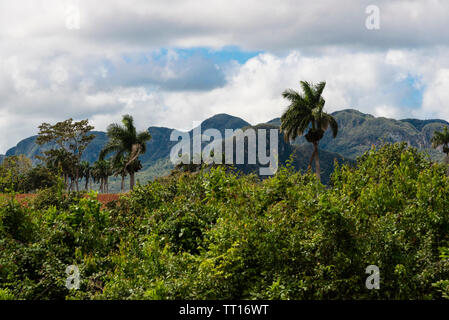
216, 234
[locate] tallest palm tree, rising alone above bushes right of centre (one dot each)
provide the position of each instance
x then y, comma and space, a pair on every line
305, 112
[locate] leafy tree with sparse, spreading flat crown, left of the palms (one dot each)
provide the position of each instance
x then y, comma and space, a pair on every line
67, 140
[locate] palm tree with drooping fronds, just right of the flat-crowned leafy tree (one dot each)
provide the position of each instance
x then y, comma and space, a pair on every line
126, 142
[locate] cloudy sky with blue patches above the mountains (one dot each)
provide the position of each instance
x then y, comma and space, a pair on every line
176, 62
